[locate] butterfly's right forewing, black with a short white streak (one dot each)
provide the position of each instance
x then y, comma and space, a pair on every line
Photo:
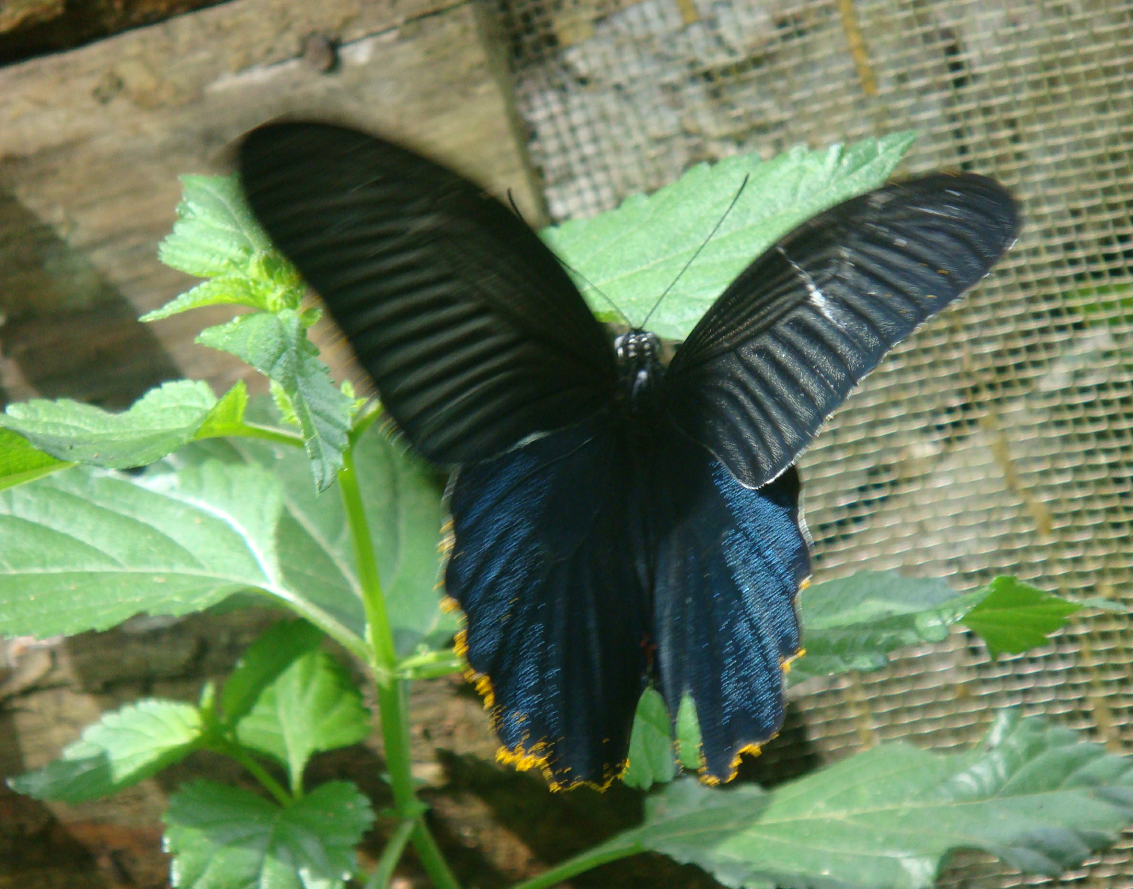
804, 324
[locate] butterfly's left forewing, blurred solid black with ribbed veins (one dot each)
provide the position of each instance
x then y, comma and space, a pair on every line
471, 329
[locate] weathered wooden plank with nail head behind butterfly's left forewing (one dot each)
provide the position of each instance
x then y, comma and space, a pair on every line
92, 142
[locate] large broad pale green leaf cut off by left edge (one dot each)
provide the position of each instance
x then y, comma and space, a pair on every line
86, 550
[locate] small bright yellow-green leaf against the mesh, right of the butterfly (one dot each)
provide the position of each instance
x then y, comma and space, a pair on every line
1015, 617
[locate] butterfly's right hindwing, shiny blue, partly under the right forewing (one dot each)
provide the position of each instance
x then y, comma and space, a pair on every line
728, 570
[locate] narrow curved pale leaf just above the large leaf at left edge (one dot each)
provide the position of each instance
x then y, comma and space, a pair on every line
157, 425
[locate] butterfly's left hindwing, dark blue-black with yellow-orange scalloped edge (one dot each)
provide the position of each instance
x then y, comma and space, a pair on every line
549, 567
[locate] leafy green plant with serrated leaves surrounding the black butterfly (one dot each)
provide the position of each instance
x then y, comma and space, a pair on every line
226, 505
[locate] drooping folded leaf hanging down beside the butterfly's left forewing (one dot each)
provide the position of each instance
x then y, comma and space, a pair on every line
278, 347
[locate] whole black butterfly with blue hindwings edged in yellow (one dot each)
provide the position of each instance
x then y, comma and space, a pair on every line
616, 523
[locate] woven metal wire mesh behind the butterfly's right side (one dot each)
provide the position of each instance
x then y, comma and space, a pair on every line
1000, 439
